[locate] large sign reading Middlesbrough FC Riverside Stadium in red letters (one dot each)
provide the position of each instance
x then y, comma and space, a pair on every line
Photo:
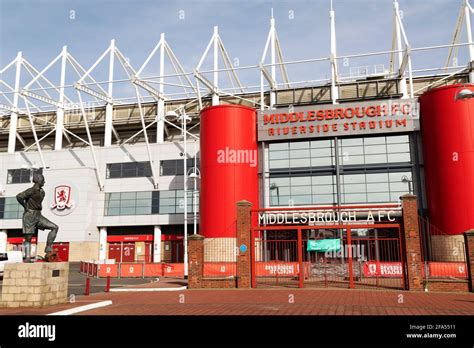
312, 121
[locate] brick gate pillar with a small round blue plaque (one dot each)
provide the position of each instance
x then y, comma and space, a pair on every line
244, 259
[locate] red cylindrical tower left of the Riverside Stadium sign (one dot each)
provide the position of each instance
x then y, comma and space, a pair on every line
229, 166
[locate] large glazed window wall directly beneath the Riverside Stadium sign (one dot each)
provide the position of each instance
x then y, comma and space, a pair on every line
369, 167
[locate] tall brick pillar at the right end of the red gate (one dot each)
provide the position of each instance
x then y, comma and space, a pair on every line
412, 243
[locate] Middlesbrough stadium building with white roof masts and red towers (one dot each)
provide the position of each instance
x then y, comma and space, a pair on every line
116, 167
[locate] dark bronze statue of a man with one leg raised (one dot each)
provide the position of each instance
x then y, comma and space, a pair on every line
31, 200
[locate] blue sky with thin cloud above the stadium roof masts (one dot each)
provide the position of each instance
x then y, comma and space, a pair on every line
40, 28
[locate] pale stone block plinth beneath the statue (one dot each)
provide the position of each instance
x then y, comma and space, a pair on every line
35, 284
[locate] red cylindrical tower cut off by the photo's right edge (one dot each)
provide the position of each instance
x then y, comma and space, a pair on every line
447, 126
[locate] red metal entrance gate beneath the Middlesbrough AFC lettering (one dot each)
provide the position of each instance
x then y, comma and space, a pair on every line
366, 256
